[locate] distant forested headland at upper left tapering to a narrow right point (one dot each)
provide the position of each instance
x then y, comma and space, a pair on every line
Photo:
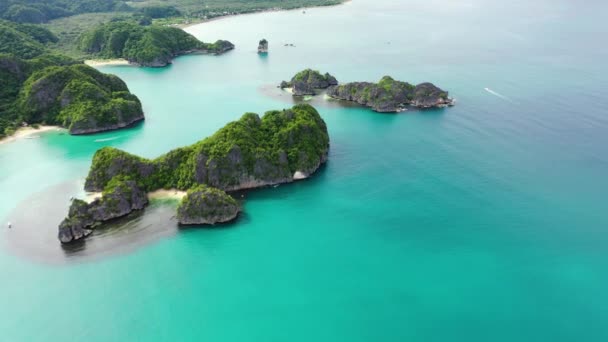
150, 46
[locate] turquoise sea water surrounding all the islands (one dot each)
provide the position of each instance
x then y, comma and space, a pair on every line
486, 221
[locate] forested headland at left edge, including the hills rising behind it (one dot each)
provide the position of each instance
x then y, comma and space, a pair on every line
45, 88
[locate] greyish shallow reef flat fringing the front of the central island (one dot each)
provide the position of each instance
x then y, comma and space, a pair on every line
35, 223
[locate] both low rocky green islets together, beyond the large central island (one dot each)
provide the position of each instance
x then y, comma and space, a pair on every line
388, 95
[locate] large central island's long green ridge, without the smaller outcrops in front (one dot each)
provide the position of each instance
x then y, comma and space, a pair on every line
247, 153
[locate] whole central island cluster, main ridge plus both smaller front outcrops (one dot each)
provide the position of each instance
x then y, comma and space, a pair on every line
281, 147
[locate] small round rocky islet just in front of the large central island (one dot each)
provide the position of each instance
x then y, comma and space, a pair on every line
206, 205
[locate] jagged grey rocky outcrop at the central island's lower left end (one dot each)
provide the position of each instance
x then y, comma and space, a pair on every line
120, 198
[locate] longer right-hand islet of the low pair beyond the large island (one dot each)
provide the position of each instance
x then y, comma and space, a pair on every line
389, 95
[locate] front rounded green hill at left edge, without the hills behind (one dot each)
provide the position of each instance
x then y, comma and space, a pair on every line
53, 90
